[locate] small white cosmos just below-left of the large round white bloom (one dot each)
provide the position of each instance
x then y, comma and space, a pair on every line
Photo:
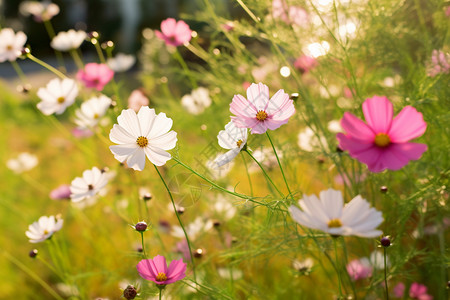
88, 186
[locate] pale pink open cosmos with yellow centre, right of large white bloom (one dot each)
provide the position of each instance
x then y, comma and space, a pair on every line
258, 112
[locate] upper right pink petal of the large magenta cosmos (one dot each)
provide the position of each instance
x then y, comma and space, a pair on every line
407, 125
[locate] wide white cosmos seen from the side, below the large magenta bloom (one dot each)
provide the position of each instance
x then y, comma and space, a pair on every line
330, 215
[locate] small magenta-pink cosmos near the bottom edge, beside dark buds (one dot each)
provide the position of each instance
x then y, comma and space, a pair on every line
156, 270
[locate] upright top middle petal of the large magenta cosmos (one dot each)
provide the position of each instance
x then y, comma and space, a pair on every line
378, 112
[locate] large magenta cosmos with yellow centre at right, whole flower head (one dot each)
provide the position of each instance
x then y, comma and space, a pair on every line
383, 143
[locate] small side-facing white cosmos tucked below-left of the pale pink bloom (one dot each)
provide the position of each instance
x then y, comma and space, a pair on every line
233, 139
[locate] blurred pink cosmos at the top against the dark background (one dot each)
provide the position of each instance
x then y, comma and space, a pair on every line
174, 33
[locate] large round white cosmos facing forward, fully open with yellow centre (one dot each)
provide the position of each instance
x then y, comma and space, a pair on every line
143, 134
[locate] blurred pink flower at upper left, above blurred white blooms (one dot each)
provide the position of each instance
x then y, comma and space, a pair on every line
95, 75
